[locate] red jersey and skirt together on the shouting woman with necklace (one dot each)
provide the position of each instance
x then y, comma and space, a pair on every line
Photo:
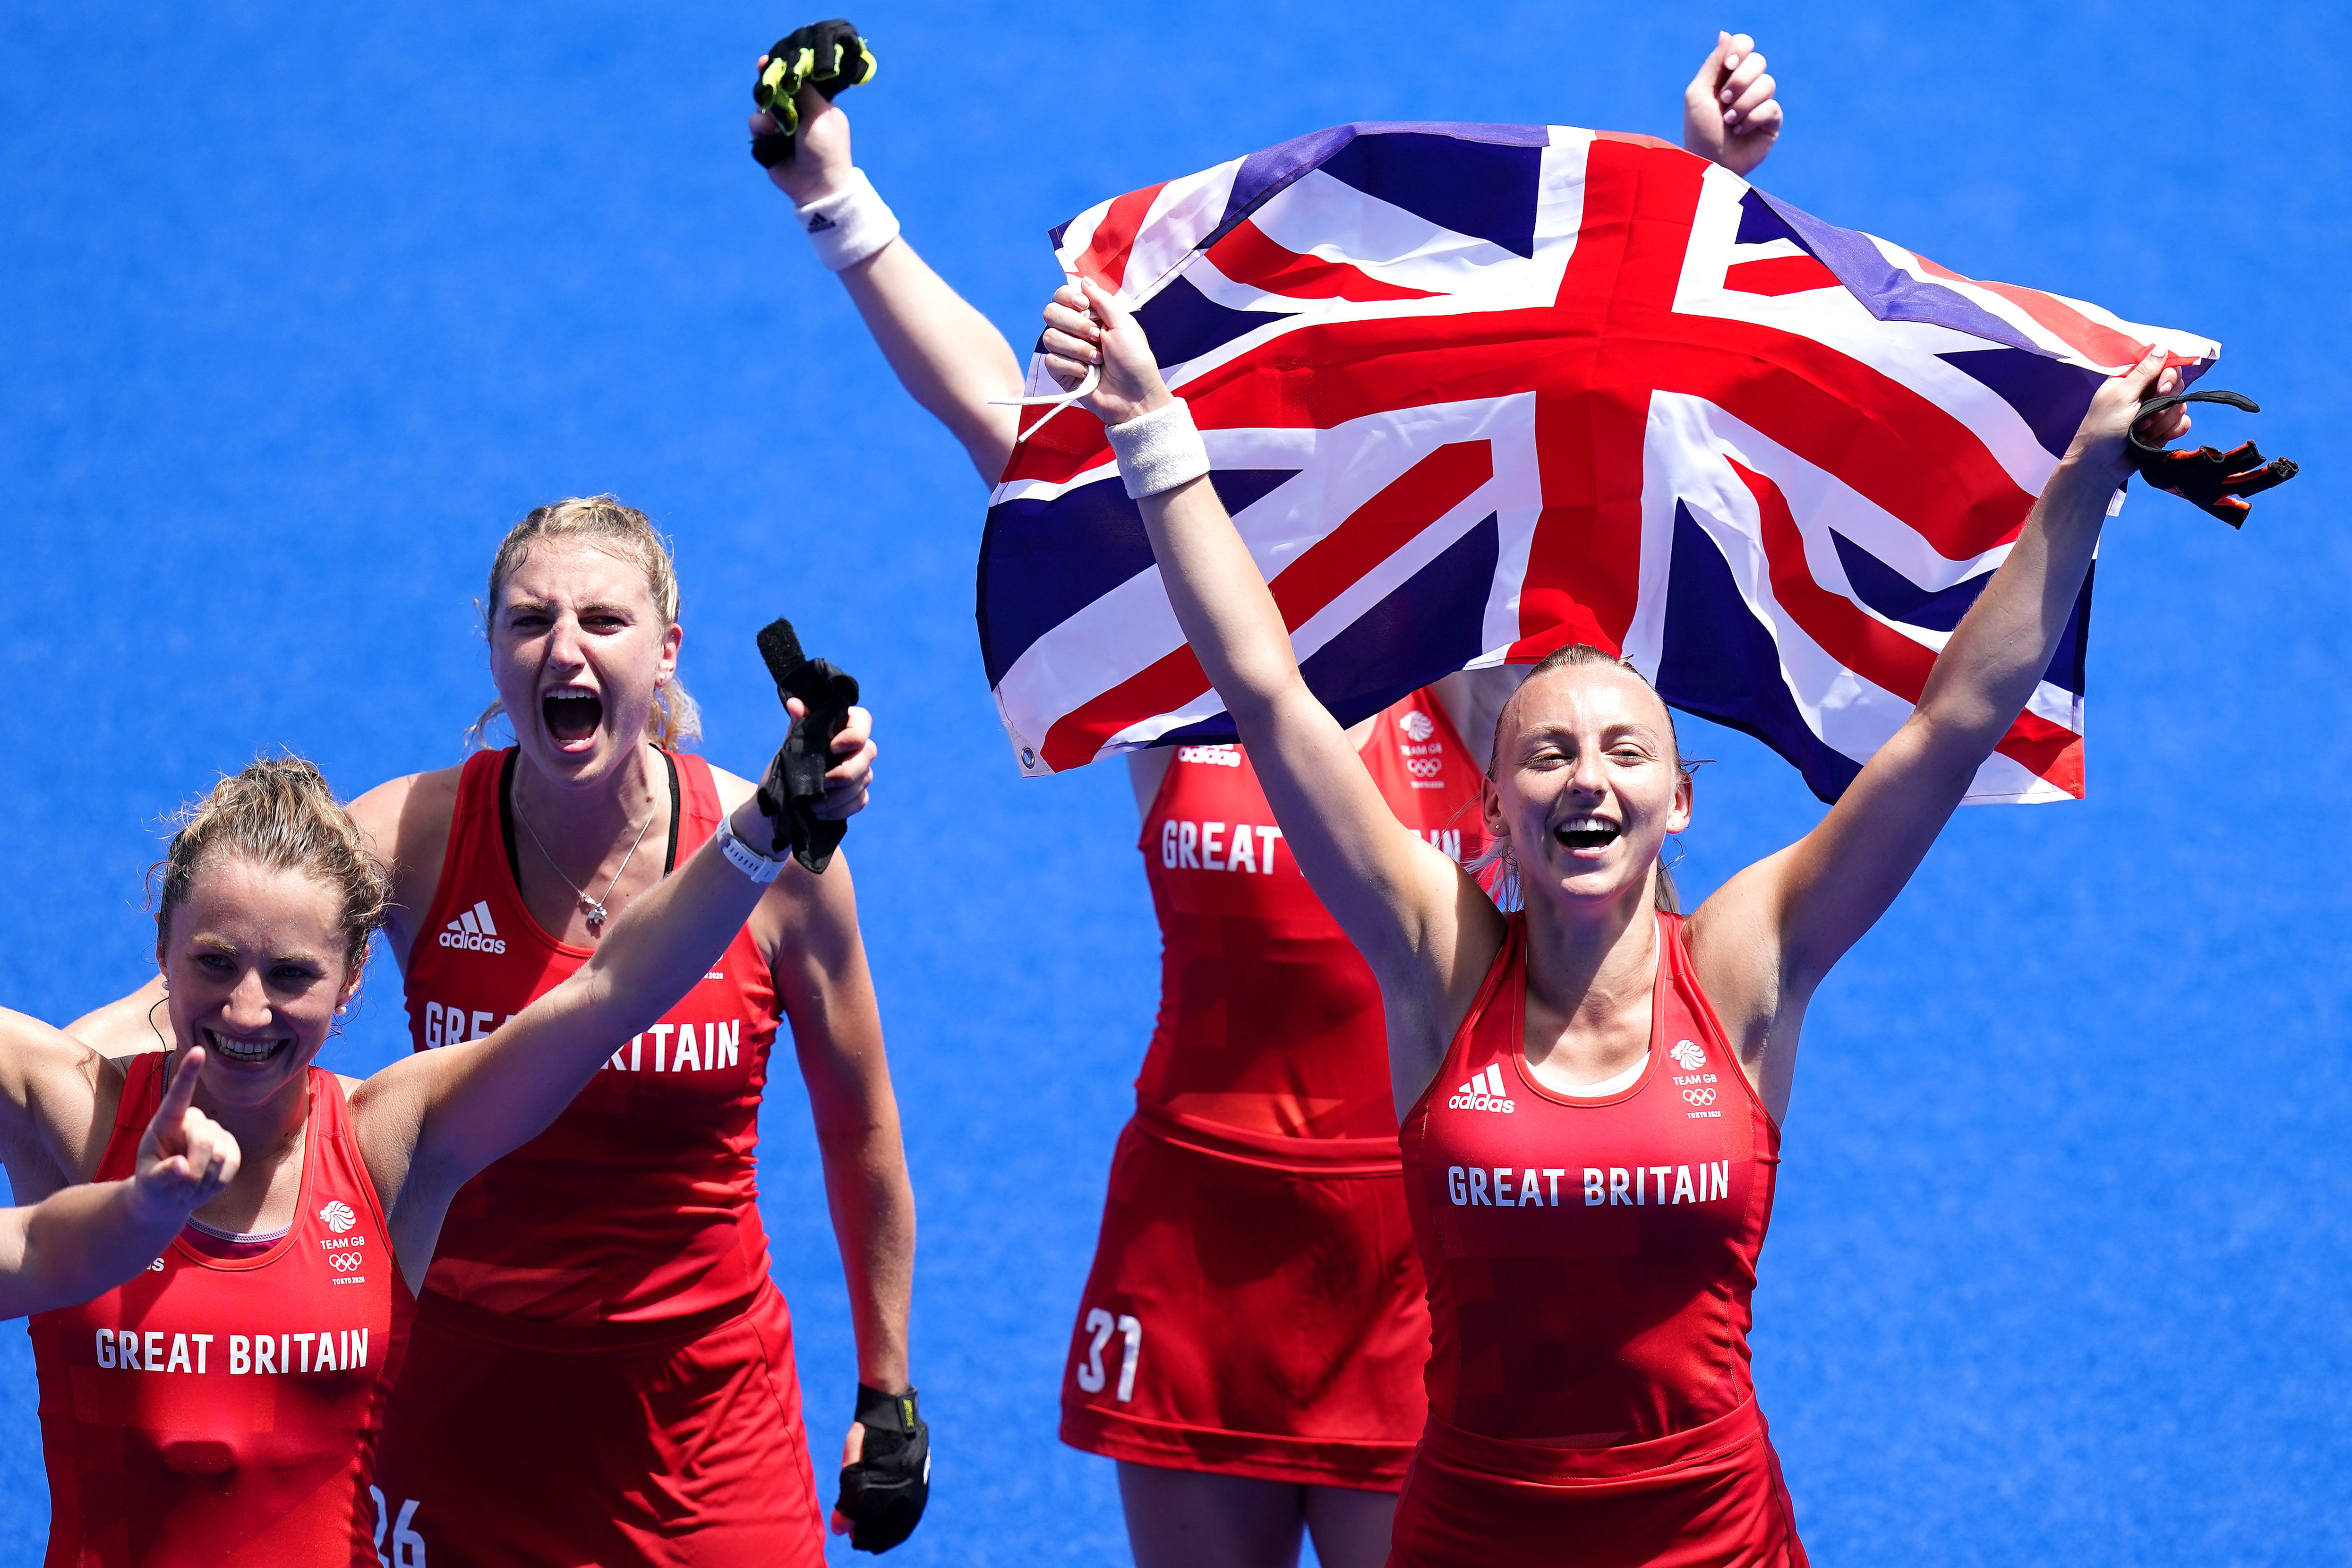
599, 1329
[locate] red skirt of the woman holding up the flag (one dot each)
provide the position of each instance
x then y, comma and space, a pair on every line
1702, 1499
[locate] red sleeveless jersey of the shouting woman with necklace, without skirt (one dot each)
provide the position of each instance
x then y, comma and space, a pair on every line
639, 1202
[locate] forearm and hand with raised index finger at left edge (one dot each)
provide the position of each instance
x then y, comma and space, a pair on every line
88, 1240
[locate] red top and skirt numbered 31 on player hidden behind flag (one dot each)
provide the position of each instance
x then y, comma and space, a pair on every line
1255, 1304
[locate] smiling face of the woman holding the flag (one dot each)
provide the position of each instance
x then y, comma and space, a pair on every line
1586, 784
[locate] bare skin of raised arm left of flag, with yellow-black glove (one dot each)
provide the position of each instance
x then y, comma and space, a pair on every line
944, 354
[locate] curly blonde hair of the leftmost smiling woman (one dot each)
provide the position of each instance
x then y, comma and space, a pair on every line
283, 817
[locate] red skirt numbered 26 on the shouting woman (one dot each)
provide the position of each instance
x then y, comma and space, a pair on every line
549, 1447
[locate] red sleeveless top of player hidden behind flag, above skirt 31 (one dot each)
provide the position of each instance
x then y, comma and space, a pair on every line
1269, 1019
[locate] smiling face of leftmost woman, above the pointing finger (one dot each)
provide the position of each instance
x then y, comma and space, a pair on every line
255, 960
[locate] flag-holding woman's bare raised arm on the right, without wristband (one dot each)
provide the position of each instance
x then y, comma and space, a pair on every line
1775, 930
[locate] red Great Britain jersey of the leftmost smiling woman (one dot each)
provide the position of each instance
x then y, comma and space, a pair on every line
225, 1412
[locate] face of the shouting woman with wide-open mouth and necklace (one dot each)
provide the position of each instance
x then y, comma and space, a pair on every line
577, 650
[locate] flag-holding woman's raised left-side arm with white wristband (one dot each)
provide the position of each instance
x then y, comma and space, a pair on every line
1398, 899
